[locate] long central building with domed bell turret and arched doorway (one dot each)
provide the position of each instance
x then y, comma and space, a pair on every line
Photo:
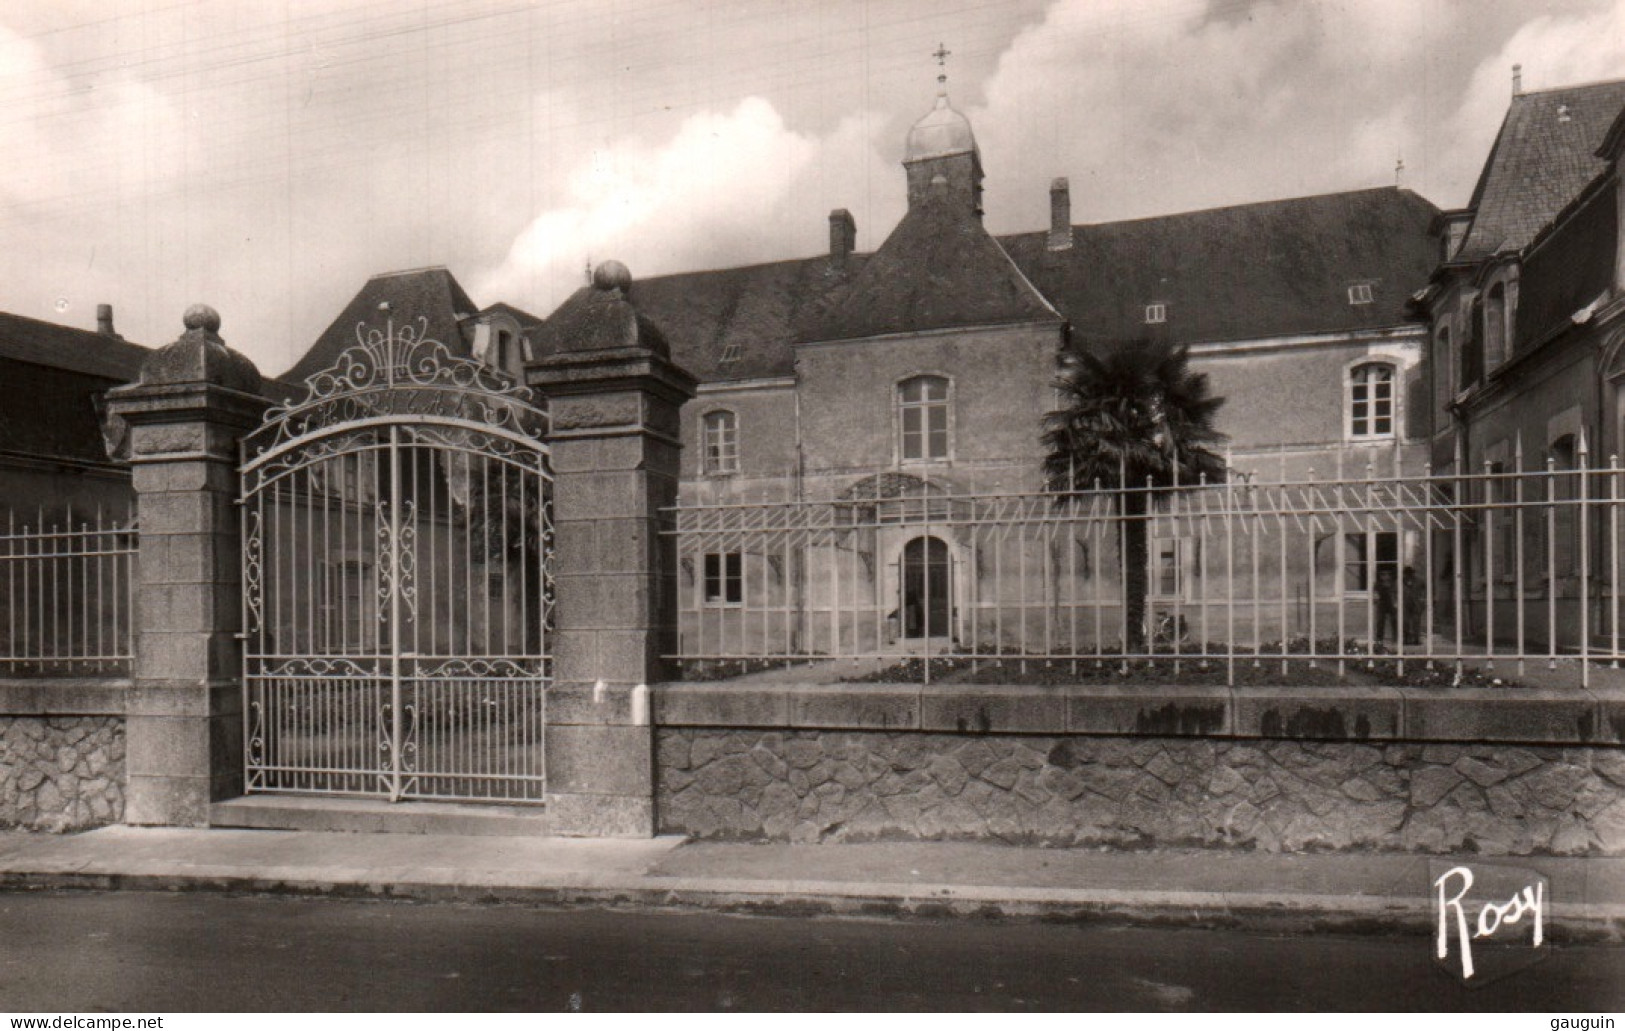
925, 368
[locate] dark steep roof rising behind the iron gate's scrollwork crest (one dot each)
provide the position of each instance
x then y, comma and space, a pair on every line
430, 294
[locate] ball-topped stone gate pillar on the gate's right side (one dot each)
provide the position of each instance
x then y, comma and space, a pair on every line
613, 396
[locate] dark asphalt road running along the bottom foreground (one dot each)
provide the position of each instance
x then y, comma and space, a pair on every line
137, 952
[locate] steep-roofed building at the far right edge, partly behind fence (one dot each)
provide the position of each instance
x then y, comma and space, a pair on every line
1525, 318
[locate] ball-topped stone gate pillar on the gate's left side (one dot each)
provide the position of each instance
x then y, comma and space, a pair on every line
191, 406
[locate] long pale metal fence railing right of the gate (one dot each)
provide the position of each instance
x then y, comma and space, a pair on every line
1515, 570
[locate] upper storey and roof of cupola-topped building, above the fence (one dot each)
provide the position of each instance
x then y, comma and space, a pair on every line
935, 355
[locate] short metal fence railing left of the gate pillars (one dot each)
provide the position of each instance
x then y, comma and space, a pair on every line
67, 594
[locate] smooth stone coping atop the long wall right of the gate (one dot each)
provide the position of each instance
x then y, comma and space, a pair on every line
1540, 716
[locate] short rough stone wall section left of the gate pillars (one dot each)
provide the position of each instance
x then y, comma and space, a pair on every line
61, 773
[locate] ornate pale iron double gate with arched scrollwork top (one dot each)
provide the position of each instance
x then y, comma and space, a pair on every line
397, 588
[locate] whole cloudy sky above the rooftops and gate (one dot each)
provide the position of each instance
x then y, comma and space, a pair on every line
267, 157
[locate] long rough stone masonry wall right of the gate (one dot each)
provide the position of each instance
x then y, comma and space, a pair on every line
1142, 791
